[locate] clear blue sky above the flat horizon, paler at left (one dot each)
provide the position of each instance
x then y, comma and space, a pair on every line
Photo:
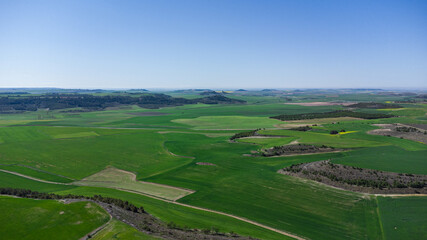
213, 44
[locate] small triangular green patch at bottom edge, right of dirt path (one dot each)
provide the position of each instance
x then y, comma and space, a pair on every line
118, 230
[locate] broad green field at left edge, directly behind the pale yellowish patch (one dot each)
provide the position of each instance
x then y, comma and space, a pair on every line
135, 150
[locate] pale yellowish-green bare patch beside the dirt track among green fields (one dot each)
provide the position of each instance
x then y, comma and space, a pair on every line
119, 179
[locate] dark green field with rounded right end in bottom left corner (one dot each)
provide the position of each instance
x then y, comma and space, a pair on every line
48, 219
